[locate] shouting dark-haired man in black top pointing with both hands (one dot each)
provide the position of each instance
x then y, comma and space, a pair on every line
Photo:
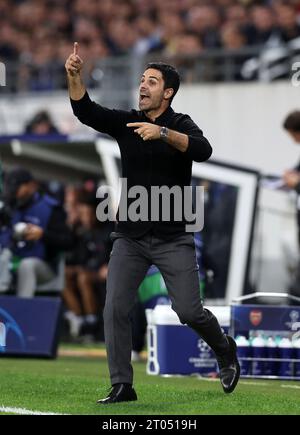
157, 148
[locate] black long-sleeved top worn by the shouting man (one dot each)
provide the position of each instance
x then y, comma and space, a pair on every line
148, 163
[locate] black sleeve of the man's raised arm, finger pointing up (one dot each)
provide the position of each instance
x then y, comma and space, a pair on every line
109, 121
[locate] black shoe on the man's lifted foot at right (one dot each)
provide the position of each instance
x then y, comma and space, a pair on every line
229, 367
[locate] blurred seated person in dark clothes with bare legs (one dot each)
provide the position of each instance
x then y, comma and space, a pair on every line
86, 270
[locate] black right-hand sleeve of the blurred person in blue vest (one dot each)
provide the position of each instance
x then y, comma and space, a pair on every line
57, 234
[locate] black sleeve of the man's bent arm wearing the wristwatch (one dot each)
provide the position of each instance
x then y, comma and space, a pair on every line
199, 148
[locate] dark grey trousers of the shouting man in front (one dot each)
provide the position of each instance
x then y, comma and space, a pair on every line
129, 262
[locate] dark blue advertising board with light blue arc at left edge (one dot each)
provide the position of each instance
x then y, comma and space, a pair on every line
29, 327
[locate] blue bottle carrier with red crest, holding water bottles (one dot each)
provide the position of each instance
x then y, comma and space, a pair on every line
268, 340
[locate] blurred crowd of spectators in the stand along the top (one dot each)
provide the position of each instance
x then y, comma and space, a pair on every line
36, 34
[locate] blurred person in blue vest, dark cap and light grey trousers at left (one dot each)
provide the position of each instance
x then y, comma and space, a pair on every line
38, 233
